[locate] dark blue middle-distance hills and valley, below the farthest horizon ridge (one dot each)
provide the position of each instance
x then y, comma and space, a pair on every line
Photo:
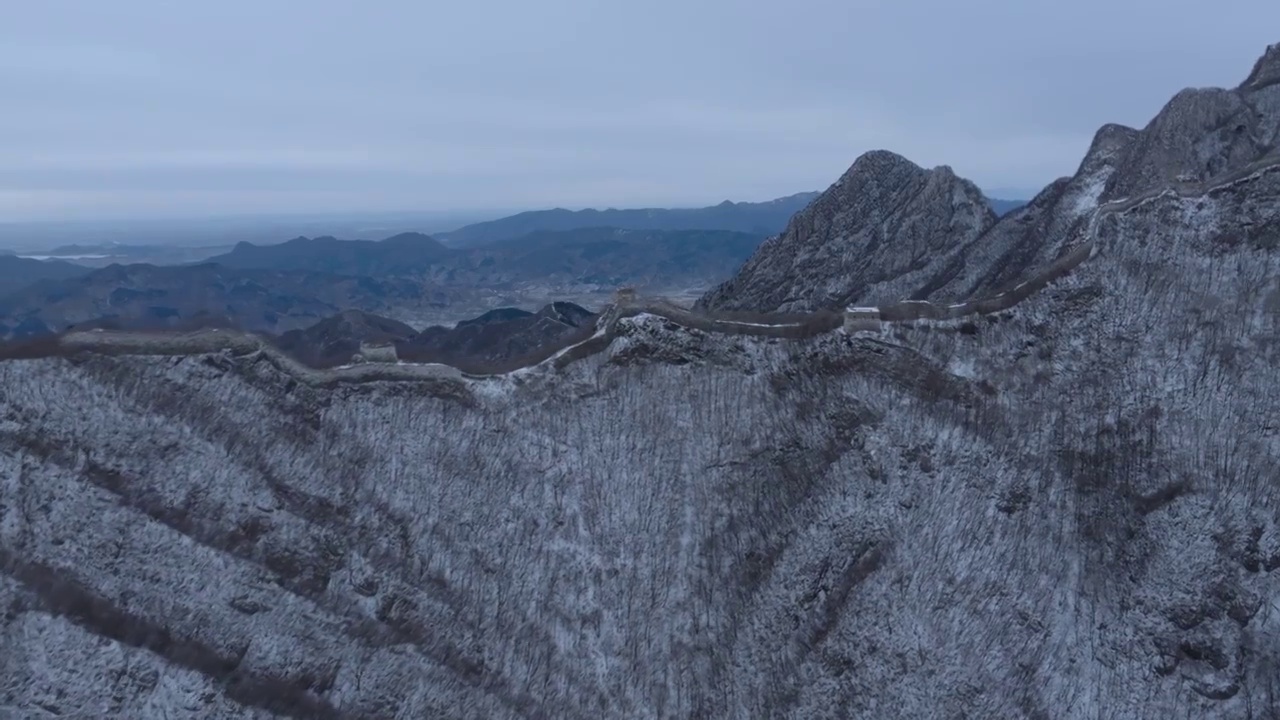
289, 286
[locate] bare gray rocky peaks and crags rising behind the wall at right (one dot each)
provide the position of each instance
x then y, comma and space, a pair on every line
1201, 136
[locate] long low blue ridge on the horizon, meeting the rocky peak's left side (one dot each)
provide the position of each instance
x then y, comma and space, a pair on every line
756, 218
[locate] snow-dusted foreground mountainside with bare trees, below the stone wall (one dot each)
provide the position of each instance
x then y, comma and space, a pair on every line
1068, 511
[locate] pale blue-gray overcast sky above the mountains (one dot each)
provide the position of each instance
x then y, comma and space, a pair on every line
154, 108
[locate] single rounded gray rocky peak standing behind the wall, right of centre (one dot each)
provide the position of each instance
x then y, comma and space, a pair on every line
877, 235
